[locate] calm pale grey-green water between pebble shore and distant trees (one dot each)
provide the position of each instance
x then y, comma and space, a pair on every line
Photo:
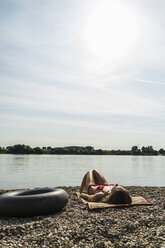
28, 171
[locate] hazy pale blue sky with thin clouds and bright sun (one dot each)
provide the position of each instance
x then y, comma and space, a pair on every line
82, 72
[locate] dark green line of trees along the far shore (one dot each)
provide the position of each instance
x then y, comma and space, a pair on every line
84, 150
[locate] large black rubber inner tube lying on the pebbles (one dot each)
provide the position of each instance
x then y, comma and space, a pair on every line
33, 202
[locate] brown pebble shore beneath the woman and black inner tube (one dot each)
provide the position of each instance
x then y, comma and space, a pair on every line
77, 226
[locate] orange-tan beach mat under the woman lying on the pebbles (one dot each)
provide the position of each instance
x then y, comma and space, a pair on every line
136, 200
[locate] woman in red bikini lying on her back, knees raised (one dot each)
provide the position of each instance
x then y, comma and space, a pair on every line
97, 189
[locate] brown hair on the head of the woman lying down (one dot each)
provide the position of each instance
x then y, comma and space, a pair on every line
119, 196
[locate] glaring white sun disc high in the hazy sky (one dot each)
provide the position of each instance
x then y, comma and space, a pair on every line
112, 30
